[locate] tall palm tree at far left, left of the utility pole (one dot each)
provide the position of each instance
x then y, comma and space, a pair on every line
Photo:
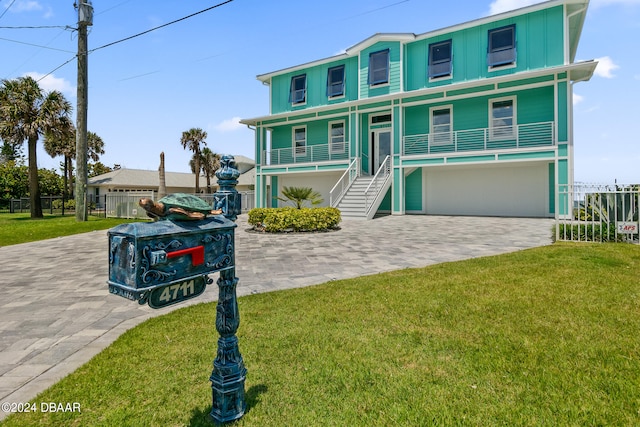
26, 112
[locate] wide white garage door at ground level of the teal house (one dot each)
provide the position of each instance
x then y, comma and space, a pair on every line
517, 189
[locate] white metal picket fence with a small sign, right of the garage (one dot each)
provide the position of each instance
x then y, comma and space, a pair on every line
598, 213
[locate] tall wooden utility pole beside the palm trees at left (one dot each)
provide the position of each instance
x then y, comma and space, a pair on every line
85, 18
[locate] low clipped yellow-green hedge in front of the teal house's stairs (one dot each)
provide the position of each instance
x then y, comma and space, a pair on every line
291, 219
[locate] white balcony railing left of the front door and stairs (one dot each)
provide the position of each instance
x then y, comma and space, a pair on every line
306, 154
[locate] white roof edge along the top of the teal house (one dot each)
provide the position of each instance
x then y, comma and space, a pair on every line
575, 8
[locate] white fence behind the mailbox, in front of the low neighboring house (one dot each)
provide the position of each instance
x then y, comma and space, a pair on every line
125, 205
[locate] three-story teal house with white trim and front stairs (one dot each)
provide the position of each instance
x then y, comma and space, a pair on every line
473, 119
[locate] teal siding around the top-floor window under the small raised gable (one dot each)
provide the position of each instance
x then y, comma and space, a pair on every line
367, 91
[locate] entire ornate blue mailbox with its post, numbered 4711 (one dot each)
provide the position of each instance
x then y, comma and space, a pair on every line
169, 261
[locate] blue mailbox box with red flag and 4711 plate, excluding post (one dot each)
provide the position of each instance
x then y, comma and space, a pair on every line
166, 262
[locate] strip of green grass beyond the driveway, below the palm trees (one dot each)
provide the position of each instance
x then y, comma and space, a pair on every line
20, 228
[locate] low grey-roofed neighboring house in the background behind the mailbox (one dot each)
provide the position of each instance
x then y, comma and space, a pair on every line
135, 180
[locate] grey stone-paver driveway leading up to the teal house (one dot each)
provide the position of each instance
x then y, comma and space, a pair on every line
56, 312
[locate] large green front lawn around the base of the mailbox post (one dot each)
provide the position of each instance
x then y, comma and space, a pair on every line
546, 336
